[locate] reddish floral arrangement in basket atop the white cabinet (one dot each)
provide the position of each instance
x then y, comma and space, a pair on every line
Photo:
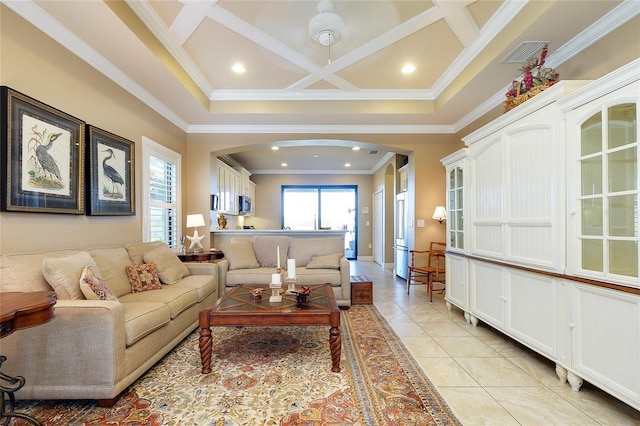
535, 79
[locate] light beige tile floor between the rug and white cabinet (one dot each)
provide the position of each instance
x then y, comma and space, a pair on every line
485, 377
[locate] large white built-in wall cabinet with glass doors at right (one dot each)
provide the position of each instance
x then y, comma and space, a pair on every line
548, 205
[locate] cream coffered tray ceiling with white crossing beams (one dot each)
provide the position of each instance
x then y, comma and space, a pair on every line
177, 57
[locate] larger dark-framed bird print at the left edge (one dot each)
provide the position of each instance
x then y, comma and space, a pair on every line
42, 156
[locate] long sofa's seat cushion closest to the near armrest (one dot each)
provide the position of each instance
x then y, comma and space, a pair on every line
143, 318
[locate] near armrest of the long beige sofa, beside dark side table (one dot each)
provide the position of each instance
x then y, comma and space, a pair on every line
83, 344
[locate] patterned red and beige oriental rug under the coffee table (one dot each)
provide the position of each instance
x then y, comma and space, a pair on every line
273, 376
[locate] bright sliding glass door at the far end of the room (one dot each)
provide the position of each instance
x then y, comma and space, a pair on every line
308, 207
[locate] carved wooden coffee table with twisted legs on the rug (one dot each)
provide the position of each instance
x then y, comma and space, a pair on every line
236, 308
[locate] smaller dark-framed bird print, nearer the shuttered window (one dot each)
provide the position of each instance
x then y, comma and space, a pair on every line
111, 177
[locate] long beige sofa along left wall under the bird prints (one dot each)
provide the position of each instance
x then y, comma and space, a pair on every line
94, 349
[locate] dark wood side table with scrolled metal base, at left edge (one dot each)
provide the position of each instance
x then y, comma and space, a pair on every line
17, 311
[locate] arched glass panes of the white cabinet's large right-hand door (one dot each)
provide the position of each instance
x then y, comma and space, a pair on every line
609, 191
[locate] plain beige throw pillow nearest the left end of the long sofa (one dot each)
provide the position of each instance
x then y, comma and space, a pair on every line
63, 274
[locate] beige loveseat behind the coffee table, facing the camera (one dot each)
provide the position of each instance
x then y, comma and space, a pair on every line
318, 260
